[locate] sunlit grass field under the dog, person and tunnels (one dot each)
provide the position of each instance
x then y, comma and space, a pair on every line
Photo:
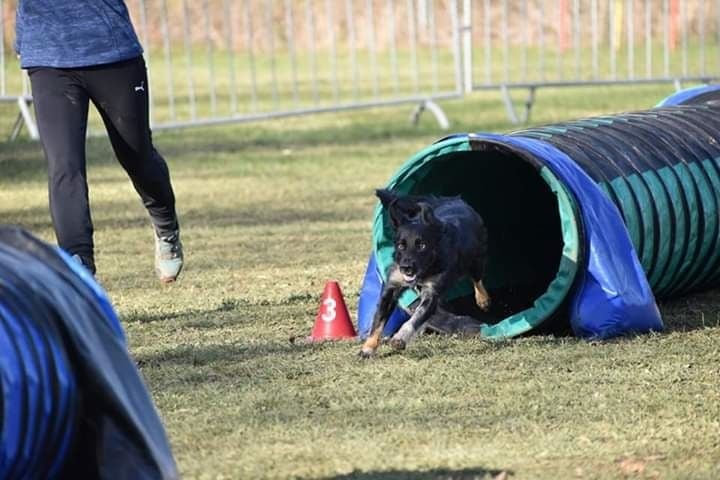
270, 212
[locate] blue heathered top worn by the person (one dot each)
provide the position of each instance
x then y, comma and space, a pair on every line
74, 33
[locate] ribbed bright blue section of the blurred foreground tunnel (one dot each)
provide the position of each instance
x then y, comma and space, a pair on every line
35, 381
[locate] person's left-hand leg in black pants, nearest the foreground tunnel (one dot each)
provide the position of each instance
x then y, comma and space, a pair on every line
61, 110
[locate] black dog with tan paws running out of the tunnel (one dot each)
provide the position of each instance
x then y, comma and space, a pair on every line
438, 241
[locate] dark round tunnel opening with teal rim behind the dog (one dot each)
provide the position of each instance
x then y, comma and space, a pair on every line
533, 233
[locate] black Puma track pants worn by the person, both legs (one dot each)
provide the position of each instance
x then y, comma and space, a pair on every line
120, 93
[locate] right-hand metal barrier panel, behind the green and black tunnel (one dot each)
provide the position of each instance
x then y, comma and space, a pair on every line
528, 44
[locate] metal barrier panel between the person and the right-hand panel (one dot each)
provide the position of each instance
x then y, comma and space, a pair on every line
219, 61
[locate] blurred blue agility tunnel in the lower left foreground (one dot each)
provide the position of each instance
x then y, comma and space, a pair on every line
72, 403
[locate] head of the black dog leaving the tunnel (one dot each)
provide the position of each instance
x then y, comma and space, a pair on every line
417, 237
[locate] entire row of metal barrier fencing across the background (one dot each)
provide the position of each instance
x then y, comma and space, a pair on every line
221, 61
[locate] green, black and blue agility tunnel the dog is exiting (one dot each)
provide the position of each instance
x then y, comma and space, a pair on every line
588, 220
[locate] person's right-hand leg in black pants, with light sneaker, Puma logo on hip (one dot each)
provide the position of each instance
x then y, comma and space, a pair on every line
120, 93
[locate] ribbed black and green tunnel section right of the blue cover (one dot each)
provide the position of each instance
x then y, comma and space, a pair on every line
661, 168
